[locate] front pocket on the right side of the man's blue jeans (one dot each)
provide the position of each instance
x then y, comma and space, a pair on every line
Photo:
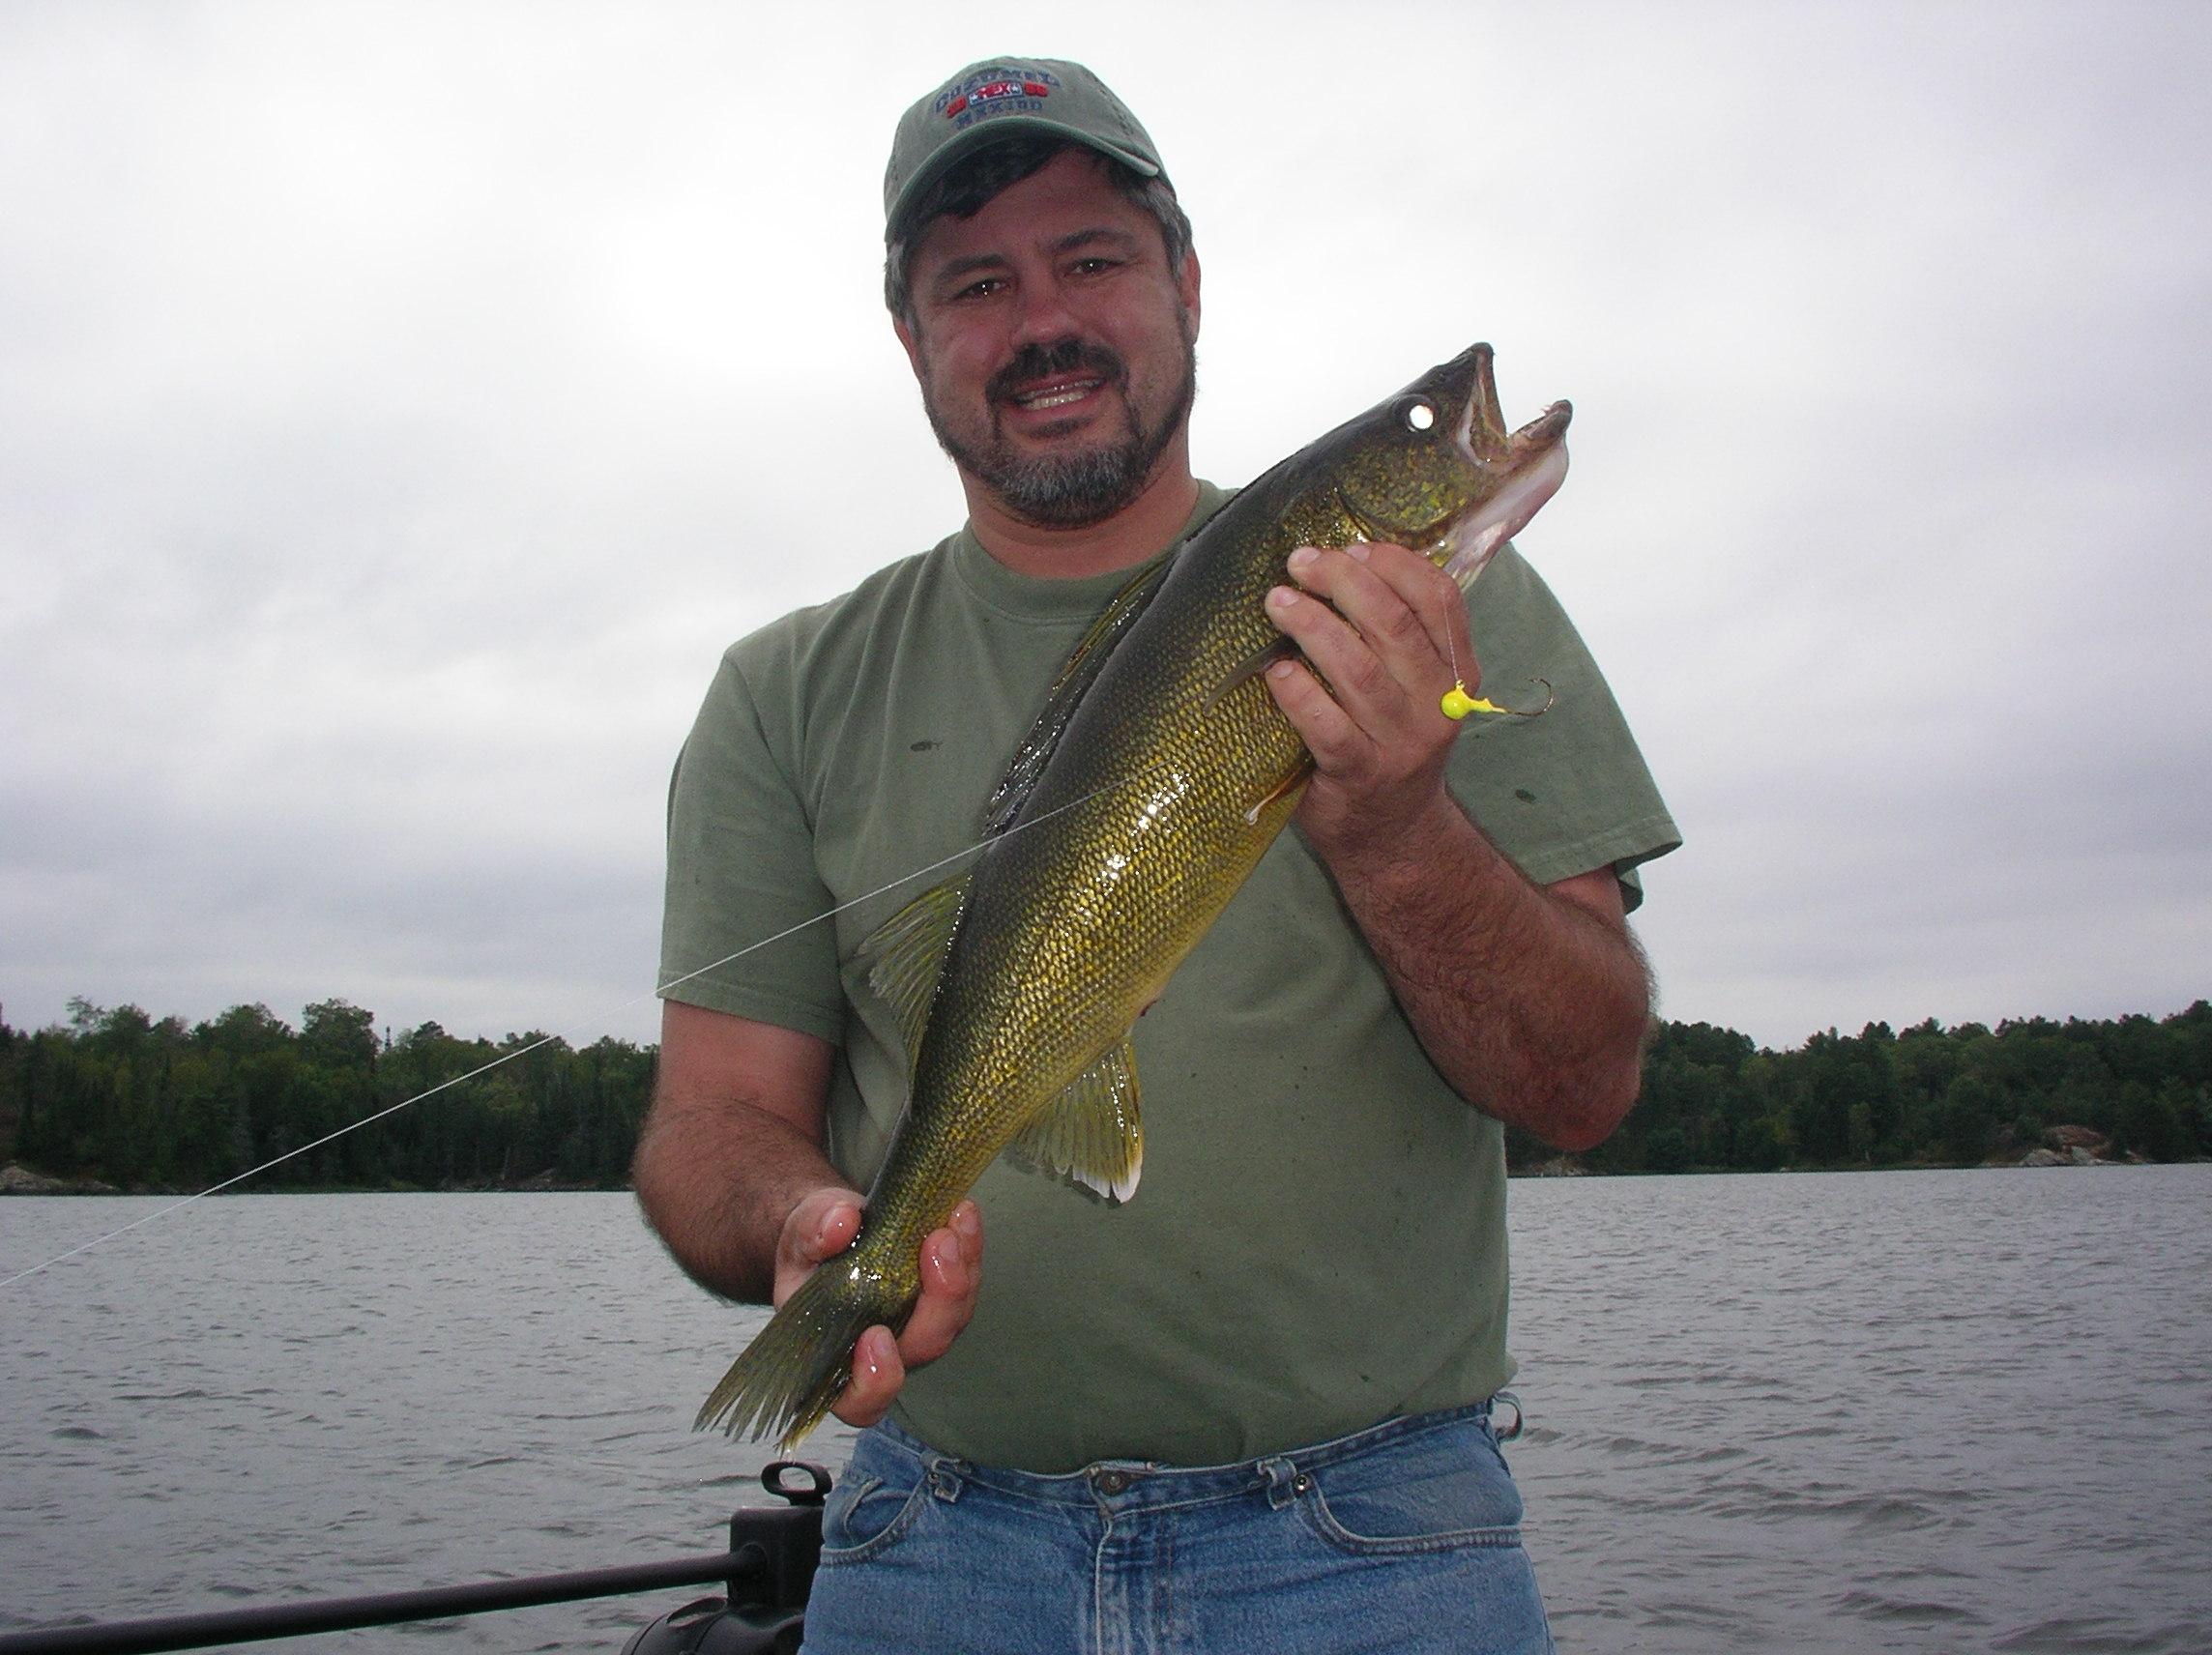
1434, 1492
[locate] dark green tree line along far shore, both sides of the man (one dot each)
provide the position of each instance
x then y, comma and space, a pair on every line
163, 1105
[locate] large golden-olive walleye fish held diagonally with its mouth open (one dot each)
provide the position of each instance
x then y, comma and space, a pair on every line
1149, 789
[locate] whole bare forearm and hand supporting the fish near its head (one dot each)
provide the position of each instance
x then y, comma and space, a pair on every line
1554, 1037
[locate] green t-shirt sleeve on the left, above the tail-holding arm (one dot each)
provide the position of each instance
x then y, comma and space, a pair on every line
744, 924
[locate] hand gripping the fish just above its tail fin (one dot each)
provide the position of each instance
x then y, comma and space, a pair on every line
822, 1227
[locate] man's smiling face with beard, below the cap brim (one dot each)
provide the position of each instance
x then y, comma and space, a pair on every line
1054, 346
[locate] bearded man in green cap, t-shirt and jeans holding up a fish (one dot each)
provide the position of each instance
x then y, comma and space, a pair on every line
1251, 1406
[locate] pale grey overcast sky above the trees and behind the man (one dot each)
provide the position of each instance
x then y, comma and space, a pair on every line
401, 406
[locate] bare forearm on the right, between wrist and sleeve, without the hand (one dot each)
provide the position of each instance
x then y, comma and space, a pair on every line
1530, 1003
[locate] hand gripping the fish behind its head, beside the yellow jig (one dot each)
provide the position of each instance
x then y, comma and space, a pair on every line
1384, 627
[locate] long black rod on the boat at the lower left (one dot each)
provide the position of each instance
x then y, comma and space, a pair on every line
384, 1610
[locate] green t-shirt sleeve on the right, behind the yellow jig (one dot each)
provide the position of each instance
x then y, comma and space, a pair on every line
1567, 791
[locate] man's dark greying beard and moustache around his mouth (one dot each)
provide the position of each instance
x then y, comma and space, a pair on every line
1078, 488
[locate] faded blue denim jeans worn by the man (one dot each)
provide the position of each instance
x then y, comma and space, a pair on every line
1397, 1539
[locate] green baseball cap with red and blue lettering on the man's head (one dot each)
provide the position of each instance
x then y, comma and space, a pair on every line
1003, 96
